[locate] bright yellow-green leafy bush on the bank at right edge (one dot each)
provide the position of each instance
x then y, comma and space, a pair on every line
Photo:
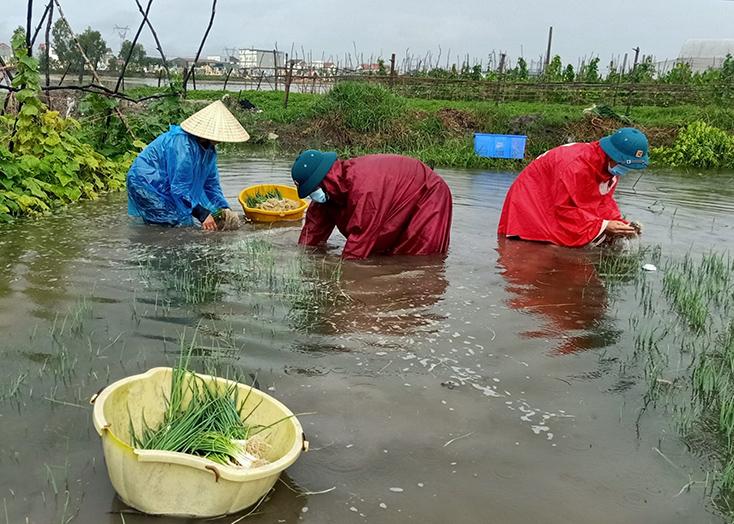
699, 145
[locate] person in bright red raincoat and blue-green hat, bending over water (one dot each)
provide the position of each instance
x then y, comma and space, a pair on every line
566, 195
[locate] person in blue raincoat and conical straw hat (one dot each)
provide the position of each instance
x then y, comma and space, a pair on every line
175, 180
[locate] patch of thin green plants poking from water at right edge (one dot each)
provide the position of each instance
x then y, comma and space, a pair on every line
686, 353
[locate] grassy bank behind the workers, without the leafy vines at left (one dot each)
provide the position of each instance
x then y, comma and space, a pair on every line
359, 118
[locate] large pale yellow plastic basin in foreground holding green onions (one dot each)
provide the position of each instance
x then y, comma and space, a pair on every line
178, 484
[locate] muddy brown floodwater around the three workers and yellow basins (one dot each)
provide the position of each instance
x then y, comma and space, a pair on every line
476, 388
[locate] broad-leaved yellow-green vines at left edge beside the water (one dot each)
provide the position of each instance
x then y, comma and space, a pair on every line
42, 161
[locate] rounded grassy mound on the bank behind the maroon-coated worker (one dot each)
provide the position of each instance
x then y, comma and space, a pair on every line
362, 107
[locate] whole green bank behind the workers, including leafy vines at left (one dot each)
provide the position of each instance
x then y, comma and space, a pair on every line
49, 160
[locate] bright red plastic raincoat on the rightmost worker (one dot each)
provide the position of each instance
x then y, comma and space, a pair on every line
565, 196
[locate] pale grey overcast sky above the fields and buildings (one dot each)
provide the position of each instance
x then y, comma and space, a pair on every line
334, 27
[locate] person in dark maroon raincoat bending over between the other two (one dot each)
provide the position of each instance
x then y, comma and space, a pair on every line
382, 204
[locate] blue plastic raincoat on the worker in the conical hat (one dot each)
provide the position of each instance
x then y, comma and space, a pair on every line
173, 177
